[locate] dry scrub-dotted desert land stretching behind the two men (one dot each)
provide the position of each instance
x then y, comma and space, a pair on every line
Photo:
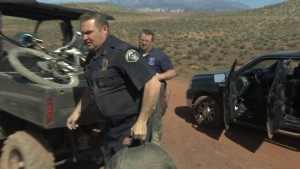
199, 41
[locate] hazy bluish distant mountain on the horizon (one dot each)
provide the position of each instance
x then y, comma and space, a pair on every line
181, 5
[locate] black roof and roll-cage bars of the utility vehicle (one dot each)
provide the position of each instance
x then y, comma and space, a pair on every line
31, 9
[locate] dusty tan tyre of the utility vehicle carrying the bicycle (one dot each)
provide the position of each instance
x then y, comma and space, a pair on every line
23, 151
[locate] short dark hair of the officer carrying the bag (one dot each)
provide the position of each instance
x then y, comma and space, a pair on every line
100, 19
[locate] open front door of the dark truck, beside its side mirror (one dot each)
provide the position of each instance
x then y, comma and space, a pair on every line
230, 97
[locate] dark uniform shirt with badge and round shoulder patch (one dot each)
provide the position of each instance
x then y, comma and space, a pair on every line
116, 77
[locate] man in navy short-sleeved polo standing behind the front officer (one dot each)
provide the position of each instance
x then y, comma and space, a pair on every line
164, 68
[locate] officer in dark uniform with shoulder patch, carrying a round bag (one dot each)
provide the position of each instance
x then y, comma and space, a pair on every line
124, 96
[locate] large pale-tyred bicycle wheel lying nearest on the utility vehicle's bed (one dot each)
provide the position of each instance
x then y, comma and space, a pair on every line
37, 67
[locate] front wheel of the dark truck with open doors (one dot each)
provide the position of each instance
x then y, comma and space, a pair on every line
207, 112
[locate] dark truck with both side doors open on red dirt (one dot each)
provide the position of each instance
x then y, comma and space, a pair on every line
264, 92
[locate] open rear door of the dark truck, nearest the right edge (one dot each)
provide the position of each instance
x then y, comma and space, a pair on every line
276, 99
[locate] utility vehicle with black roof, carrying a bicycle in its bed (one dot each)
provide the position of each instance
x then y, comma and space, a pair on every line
33, 116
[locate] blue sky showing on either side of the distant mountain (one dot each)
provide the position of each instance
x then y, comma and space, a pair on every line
250, 3
